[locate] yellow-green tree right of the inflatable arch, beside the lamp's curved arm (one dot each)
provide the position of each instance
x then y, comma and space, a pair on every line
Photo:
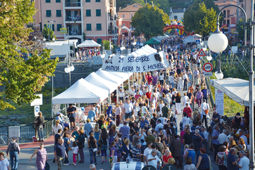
201, 17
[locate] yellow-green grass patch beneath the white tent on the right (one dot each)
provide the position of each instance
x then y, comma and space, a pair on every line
230, 106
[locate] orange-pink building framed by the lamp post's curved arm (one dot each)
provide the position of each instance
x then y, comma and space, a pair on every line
229, 13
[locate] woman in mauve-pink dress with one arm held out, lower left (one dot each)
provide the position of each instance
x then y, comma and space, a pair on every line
41, 157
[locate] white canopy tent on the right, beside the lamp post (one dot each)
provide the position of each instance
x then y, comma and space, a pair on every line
236, 89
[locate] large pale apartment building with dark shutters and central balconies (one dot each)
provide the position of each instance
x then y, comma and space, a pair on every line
95, 19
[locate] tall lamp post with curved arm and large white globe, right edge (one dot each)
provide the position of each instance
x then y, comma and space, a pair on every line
218, 42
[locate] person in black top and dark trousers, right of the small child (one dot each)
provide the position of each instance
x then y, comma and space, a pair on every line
92, 145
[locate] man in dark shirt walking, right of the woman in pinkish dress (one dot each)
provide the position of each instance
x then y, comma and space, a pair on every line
60, 153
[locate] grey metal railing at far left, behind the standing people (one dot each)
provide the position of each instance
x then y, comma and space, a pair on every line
27, 131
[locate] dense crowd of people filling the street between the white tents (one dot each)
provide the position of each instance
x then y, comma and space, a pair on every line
141, 125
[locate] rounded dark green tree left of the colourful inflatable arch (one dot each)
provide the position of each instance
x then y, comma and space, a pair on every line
149, 21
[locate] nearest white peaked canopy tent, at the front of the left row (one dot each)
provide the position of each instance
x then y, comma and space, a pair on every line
81, 92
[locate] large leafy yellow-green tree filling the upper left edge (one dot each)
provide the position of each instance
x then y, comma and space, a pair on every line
20, 79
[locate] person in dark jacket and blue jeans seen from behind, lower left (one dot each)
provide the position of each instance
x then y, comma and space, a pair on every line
14, 149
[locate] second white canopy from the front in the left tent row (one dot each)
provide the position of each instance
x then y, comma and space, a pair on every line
98, 81
